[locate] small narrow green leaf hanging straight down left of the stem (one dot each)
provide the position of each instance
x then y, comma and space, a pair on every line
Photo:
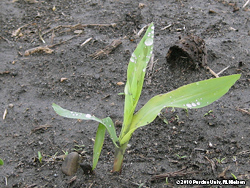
99, 139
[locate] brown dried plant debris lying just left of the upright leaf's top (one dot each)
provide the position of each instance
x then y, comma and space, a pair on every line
106, 50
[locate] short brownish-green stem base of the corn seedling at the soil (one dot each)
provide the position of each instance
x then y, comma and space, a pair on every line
119, 155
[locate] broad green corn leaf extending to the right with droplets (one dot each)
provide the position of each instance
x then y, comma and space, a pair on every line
195, 95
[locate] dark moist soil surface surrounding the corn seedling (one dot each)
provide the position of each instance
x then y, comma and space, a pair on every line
212, 143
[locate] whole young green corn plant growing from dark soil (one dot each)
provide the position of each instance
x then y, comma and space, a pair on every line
195, 95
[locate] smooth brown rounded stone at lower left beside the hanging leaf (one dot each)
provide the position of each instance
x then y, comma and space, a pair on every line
70, 164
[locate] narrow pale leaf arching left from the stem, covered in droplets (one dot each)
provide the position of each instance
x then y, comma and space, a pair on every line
77, 115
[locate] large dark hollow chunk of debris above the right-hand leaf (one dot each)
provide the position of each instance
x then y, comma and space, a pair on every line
189, 51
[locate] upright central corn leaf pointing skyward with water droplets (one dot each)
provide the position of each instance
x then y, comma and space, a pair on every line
135, 76
